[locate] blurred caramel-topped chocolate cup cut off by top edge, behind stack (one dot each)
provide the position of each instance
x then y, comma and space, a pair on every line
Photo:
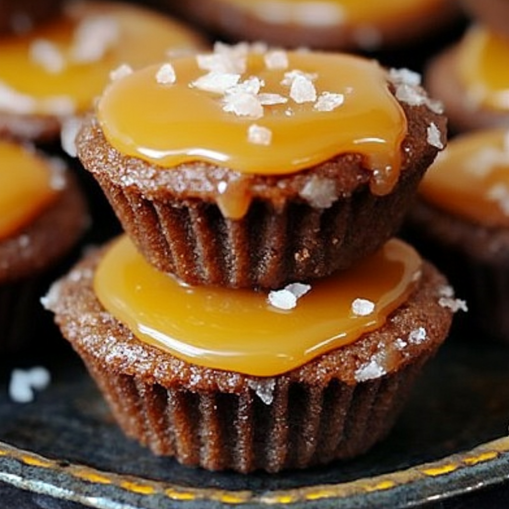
325, 25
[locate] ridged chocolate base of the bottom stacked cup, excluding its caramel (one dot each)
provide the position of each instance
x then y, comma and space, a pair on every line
335, 406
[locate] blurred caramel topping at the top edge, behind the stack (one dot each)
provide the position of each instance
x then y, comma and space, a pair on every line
333, 12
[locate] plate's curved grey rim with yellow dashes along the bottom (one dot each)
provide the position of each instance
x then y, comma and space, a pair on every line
100, 489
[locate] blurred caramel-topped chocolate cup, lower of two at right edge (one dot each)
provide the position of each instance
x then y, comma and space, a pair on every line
461, 222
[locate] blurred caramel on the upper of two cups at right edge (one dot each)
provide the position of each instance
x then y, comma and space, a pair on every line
483, 70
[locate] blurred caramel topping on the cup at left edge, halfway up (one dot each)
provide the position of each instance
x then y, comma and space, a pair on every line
25, 187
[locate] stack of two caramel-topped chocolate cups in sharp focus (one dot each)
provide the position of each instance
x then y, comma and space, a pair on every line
226, 374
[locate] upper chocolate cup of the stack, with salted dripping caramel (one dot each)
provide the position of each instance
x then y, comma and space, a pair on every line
211, 223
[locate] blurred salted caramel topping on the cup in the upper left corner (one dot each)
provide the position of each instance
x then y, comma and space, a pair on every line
60, 67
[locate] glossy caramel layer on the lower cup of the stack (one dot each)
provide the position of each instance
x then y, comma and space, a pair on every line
242, 330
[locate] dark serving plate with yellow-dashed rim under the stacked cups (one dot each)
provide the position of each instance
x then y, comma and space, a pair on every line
450, 439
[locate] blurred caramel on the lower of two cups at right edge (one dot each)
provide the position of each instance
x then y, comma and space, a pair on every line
471, 178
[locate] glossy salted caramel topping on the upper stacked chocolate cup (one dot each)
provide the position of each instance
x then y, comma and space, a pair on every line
258, 112
